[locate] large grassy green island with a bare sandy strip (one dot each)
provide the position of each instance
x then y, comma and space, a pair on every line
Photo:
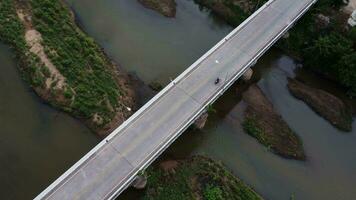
65, 67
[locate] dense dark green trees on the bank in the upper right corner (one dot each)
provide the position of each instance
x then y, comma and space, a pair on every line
329, 50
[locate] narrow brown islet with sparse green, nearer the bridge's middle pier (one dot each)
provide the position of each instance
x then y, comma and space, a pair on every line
268, 127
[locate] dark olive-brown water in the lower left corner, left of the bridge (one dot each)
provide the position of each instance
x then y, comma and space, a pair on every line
37, 143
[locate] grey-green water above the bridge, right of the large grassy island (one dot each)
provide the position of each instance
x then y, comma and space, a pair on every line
142, 41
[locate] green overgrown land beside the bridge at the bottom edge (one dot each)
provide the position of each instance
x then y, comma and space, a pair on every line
196, 178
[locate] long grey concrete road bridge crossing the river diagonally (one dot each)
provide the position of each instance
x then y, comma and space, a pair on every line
111, 166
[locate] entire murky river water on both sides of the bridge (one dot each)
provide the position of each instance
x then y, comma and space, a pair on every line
157, 49
